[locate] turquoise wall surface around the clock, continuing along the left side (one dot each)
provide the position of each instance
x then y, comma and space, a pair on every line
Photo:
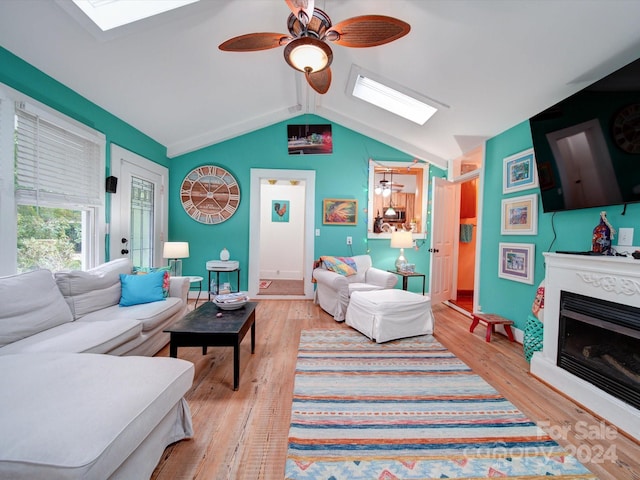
343, 174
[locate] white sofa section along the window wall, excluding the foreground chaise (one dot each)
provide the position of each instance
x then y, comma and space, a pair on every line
78, 311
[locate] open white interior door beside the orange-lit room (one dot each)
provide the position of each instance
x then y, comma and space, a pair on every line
444, 221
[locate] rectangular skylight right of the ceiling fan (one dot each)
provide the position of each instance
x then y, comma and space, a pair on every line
406, 105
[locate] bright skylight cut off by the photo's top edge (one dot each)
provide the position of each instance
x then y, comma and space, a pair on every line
109, 14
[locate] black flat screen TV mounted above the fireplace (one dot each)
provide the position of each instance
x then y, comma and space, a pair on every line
587, 147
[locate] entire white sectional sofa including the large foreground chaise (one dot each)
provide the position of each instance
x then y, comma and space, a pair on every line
70, 406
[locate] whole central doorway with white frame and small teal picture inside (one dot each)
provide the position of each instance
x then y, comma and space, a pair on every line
281, 233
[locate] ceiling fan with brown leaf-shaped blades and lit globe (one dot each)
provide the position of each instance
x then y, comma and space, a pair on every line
306, 48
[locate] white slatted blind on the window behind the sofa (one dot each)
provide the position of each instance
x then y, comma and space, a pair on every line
55, 165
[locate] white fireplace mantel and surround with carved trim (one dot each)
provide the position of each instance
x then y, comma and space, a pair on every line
615, 279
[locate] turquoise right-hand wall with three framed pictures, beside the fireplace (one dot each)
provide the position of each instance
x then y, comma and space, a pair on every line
573, 231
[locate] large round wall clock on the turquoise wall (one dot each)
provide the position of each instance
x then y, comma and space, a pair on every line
210, 194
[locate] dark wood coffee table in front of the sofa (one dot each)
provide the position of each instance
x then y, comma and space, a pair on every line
201, 328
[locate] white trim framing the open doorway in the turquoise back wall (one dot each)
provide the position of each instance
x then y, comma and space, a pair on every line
257, 174
